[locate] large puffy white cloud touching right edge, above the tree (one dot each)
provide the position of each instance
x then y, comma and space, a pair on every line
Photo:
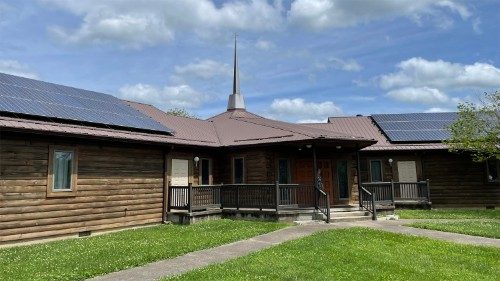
418, 72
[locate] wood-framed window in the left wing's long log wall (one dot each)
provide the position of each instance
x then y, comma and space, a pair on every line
62, 171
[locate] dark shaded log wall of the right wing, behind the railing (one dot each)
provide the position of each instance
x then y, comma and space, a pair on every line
455, 180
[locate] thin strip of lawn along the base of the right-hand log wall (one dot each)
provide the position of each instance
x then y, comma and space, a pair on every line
449, 214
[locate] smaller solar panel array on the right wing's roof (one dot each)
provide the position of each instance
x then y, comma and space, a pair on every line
416, 127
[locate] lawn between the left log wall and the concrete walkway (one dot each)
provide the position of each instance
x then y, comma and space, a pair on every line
78, 259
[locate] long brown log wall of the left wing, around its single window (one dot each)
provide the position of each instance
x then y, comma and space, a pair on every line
117, 186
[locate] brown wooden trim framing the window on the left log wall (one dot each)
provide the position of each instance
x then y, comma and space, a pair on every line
51, 192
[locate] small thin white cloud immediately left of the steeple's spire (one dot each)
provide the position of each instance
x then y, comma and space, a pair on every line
204, 69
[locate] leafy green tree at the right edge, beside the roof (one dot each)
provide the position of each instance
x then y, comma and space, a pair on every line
477, 128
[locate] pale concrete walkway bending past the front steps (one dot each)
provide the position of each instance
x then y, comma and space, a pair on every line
198, 259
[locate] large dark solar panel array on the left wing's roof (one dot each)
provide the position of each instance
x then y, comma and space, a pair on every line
20, 95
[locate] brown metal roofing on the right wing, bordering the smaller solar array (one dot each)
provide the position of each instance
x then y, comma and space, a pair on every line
364, 126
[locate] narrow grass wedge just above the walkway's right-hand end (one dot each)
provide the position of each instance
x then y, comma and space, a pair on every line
477, 228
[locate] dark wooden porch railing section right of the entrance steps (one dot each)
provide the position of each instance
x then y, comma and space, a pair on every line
396, 192
